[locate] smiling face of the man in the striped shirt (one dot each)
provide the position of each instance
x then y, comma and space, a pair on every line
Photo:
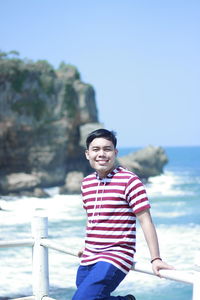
101, 155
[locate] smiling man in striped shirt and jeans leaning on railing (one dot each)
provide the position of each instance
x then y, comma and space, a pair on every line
113, 198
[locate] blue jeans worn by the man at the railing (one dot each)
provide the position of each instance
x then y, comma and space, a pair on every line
98, 281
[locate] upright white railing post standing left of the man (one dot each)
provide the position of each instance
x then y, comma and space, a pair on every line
40, 258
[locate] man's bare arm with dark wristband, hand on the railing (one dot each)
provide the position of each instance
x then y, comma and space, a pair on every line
151, 238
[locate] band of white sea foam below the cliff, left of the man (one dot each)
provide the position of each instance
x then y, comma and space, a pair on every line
56, 207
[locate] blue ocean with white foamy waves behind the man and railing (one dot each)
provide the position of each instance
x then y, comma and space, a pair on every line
175, 201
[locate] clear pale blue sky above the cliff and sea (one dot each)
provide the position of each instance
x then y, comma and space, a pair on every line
142, 58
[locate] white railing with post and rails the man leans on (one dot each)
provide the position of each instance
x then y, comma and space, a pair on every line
41, 243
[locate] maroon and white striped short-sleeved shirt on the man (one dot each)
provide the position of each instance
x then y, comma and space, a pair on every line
111, 204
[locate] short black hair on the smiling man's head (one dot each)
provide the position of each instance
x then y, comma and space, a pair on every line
101, 133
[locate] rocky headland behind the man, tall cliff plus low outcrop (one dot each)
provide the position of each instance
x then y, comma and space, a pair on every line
45, 115
